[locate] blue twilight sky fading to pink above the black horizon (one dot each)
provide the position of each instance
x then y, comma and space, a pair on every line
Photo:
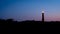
30, 9
